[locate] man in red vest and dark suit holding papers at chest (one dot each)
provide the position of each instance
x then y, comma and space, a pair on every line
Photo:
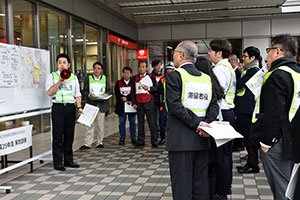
142, 100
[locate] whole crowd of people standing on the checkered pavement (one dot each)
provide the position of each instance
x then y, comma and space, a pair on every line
182, 101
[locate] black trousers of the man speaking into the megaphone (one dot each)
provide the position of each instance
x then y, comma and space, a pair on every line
63, 125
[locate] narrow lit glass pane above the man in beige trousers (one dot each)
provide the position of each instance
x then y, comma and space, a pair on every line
91, 47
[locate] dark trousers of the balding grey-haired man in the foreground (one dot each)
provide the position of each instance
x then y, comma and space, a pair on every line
189, 175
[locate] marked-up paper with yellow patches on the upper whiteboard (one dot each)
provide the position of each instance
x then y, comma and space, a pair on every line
23, 67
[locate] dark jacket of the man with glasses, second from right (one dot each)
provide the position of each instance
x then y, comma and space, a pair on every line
245, 104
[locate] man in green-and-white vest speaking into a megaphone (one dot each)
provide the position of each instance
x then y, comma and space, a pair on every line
65, 93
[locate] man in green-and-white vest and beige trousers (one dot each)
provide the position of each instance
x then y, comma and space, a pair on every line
96, 84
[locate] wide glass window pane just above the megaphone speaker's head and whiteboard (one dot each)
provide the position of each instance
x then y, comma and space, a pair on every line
53, 30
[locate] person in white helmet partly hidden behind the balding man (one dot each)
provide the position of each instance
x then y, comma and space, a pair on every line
162, 109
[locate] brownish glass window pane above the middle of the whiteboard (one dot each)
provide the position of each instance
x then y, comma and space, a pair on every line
23, 23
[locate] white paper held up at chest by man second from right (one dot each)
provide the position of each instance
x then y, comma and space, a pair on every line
255, 82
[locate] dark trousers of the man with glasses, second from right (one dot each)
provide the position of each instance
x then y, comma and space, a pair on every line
244, 125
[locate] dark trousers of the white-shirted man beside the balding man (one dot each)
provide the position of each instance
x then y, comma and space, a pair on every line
223, 165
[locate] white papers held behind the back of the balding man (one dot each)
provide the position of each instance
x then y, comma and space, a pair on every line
222, 132
